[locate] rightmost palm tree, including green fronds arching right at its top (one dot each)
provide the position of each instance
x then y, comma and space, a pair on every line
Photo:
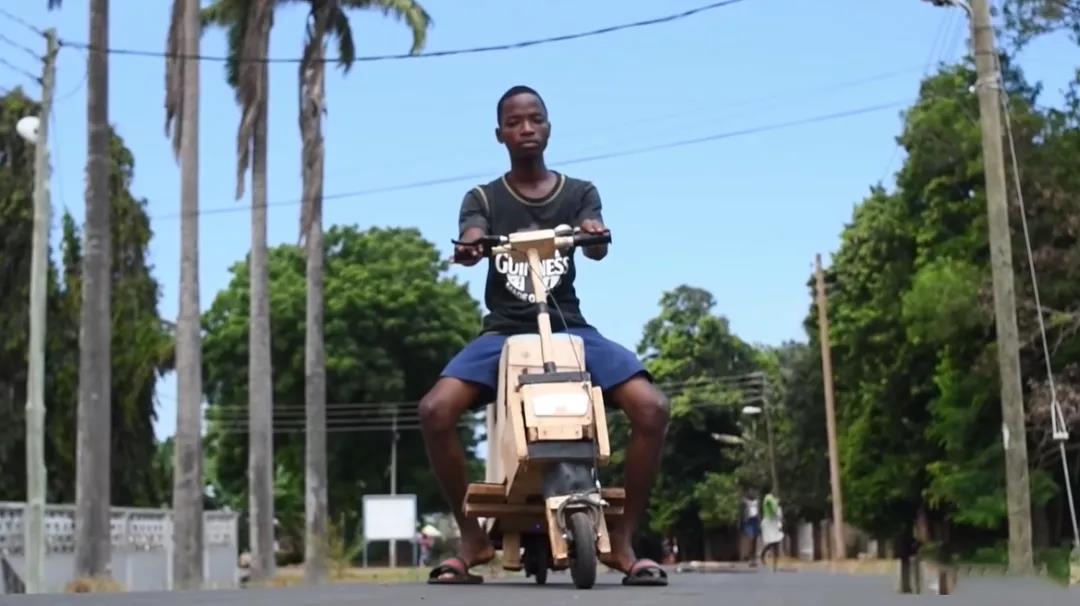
326, 18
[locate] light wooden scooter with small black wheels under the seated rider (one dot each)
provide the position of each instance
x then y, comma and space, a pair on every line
542, 501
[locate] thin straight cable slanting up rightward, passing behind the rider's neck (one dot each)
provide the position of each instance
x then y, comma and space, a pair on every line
582, 160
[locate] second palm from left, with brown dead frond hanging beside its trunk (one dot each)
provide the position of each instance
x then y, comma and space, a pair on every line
182, 112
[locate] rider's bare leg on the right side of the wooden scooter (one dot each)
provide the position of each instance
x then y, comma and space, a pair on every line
649, 414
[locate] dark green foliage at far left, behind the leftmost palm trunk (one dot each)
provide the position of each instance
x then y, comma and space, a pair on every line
142, 344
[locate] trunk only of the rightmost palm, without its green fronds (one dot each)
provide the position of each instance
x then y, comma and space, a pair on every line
313, 101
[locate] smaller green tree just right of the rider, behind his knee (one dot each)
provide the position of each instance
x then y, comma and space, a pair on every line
694, 356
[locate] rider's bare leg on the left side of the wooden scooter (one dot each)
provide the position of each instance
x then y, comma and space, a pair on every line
441, 411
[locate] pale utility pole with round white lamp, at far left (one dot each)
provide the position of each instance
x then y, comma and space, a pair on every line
35, 526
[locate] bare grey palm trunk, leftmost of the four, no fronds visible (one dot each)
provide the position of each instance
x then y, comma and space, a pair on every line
93, 488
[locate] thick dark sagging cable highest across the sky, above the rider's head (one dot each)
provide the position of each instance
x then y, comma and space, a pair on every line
467, 51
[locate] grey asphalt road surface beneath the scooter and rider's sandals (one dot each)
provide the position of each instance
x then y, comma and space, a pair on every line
693, 589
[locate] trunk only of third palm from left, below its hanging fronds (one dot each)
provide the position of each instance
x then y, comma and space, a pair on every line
261, 378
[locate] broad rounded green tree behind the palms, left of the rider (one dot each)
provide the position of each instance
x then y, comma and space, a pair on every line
393, 322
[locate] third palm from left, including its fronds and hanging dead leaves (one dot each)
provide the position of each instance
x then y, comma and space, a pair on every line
249, 23
